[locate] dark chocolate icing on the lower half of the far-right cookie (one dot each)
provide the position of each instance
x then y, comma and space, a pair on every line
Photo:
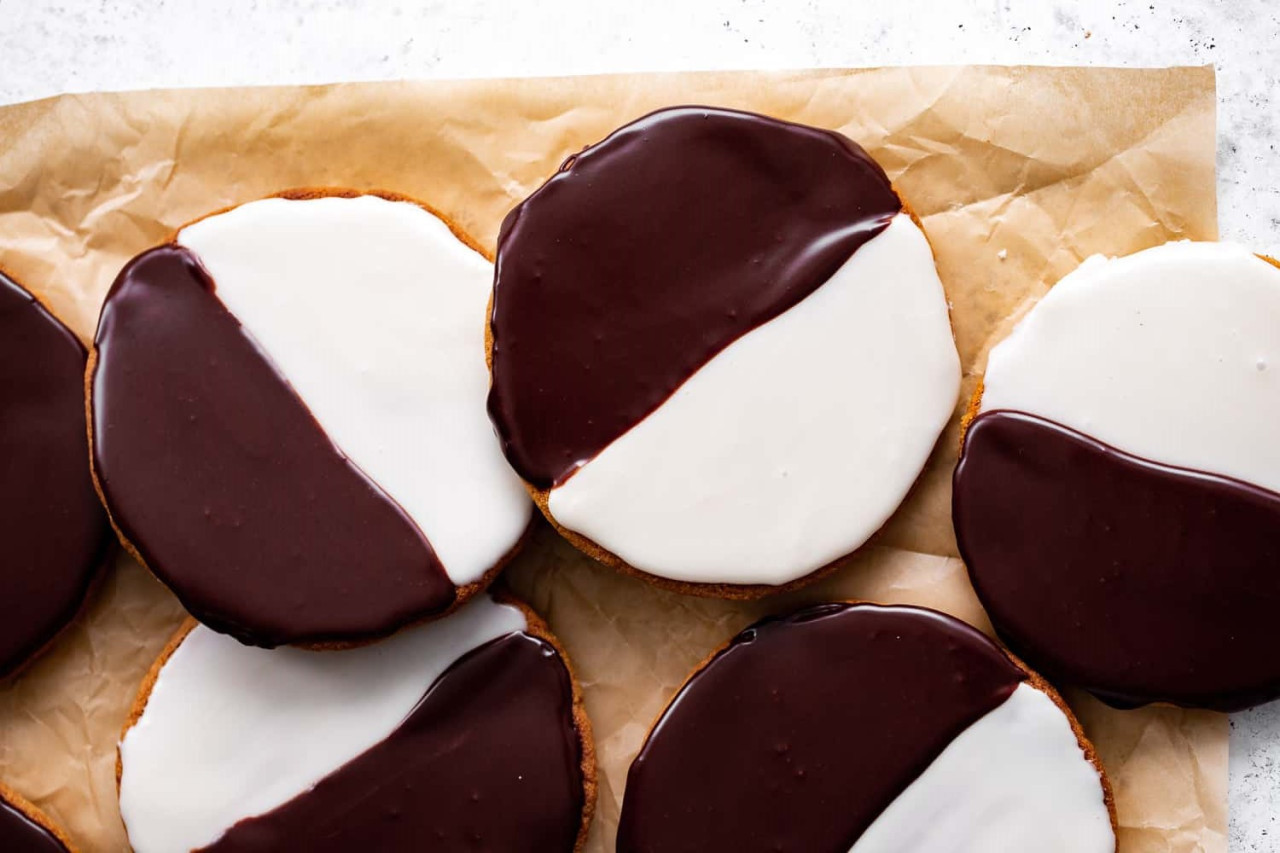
1136, 581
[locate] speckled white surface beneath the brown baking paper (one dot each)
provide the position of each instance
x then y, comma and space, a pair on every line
83, 45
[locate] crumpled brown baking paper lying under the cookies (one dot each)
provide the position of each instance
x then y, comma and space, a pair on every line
1017, 174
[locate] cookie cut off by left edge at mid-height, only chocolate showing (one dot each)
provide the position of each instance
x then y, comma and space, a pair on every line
52, 523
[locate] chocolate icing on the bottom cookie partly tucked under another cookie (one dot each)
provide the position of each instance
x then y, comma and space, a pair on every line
491, 760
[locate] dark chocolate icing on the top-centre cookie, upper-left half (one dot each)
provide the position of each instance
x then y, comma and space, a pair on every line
652, 252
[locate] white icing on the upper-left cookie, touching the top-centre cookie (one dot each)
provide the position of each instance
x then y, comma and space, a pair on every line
376, 314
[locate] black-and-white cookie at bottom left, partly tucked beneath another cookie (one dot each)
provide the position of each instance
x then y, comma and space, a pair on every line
468, 732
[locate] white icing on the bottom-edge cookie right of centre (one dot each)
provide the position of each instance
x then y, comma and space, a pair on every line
1016, 781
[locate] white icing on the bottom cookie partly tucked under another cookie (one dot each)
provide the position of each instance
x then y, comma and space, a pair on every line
232, 732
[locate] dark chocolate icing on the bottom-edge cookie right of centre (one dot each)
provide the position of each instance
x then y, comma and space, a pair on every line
798, 736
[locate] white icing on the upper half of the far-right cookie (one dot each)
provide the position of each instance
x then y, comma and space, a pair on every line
1172, 354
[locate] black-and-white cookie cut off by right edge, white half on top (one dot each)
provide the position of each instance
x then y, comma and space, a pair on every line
1118, 494
